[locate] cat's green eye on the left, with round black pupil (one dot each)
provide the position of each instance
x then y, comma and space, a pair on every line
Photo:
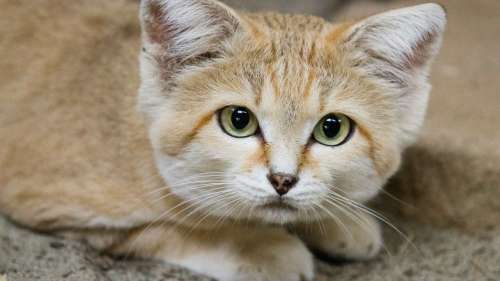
238, 121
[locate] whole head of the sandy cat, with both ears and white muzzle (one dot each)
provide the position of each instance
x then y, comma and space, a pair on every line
281, 118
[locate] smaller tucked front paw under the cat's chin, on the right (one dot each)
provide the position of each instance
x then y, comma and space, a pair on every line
346, 238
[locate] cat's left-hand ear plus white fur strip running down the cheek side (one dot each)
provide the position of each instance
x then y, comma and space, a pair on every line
176, 34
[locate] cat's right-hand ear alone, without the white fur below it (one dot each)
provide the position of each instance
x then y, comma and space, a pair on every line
399, 44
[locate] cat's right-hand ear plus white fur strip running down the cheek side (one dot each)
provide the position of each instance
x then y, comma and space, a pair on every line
396, 48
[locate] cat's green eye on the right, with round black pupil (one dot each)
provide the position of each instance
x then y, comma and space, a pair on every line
333, 129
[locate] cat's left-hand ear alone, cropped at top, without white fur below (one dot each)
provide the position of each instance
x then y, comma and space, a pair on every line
180, 30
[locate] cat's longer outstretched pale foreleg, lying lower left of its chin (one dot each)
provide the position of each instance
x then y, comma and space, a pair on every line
233, 253
